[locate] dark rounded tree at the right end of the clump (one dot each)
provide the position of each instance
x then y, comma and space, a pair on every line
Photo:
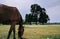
43, 16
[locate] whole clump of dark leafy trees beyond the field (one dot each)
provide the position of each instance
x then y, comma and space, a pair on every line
38, 14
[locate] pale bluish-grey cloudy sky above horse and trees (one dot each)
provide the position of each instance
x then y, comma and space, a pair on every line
52, 7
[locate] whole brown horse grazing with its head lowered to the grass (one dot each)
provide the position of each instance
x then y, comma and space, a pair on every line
11, 15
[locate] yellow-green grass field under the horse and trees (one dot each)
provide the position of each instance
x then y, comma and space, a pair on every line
34, 31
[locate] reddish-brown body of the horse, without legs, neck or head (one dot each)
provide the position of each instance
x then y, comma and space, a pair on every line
8, 13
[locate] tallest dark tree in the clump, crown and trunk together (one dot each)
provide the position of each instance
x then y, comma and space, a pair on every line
35, 8
